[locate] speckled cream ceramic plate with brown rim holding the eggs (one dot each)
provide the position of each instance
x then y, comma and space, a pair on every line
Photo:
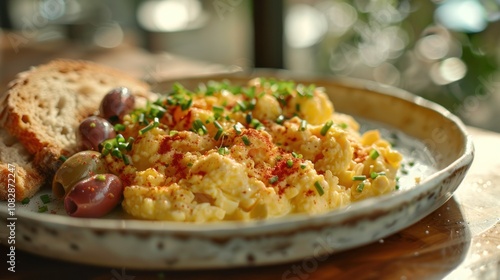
425, 133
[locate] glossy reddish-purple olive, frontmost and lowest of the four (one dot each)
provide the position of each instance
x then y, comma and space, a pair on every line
94, 197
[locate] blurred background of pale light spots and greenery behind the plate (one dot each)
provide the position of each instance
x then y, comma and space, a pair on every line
447, 51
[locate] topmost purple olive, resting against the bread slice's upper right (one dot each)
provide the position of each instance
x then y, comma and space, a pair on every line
117, 103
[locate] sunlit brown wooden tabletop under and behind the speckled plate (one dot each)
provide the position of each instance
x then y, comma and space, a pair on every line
460, 240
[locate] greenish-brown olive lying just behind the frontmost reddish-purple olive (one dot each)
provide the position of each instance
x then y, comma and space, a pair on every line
76, 168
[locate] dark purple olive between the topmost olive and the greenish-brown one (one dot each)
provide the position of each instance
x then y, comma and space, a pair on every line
92, 131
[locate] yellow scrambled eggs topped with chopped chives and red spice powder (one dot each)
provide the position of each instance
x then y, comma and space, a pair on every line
269, 149
